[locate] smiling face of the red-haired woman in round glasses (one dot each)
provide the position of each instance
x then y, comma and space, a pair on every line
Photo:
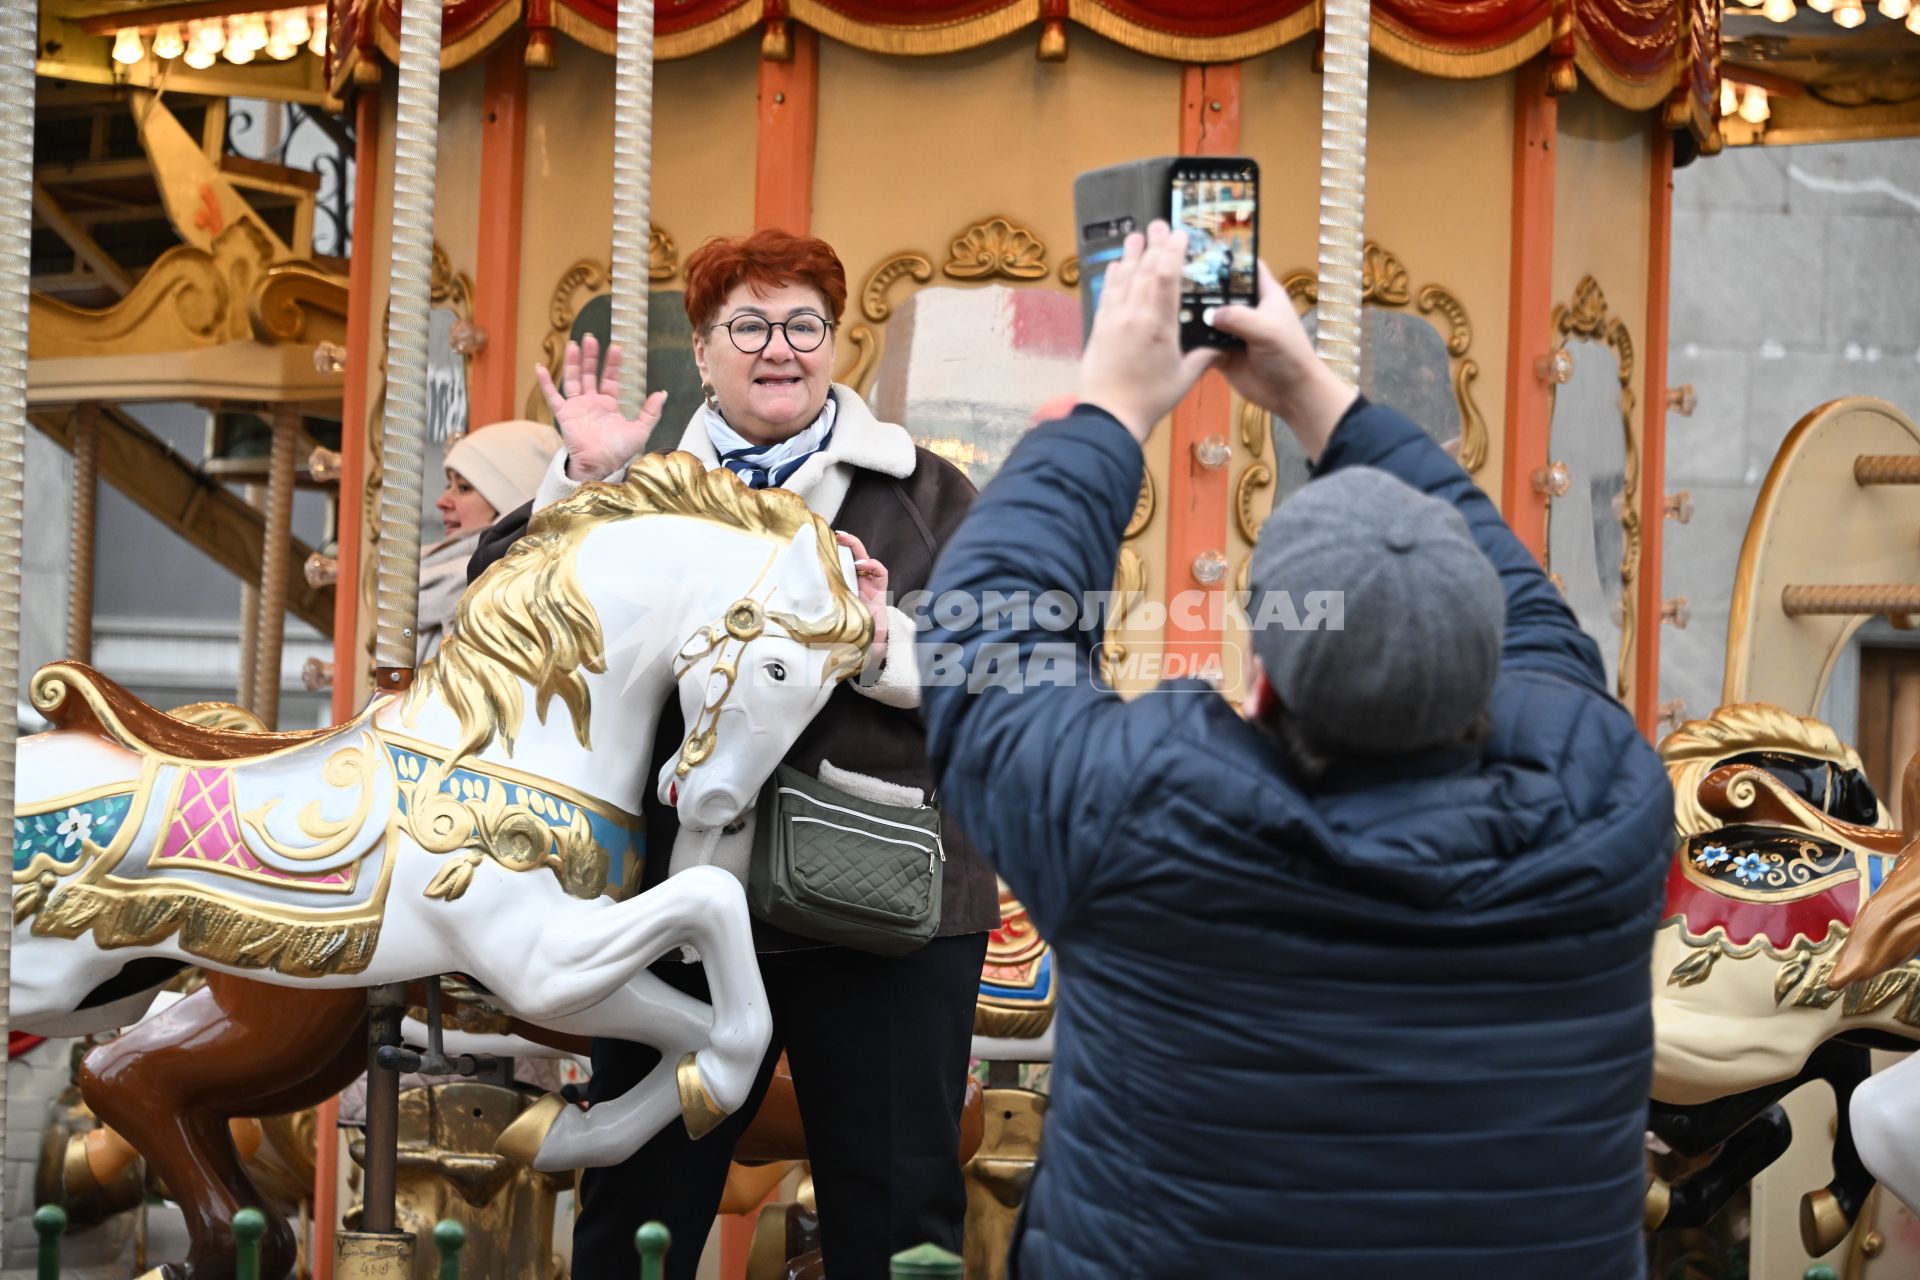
773, 394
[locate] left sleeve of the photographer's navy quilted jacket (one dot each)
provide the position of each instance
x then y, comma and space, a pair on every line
1036, 761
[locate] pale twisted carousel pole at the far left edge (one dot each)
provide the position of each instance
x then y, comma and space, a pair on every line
18, 41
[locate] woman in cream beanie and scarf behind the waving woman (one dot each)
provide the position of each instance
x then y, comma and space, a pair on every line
491, 471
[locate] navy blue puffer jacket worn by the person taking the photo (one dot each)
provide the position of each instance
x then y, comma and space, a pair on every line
1387, 1026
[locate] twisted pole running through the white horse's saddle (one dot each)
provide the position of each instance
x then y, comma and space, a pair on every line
379, 1248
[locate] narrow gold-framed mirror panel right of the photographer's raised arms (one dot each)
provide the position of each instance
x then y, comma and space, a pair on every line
1593, 477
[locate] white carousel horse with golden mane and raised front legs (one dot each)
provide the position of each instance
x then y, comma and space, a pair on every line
433, 834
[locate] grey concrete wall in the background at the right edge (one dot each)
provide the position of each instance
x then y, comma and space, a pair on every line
1794, 283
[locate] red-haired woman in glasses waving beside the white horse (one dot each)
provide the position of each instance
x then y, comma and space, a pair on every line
878, 1047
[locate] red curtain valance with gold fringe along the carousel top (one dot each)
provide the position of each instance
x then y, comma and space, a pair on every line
1637, 53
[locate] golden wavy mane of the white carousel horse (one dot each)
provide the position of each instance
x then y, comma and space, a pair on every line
527, 617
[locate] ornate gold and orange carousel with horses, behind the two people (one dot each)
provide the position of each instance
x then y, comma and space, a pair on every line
1470, 204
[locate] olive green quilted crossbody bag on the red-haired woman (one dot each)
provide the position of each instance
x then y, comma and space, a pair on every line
838, 868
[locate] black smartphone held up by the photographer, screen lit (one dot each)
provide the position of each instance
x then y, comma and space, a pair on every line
1216, 202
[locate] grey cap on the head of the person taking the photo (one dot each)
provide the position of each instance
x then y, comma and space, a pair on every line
1376, 615
